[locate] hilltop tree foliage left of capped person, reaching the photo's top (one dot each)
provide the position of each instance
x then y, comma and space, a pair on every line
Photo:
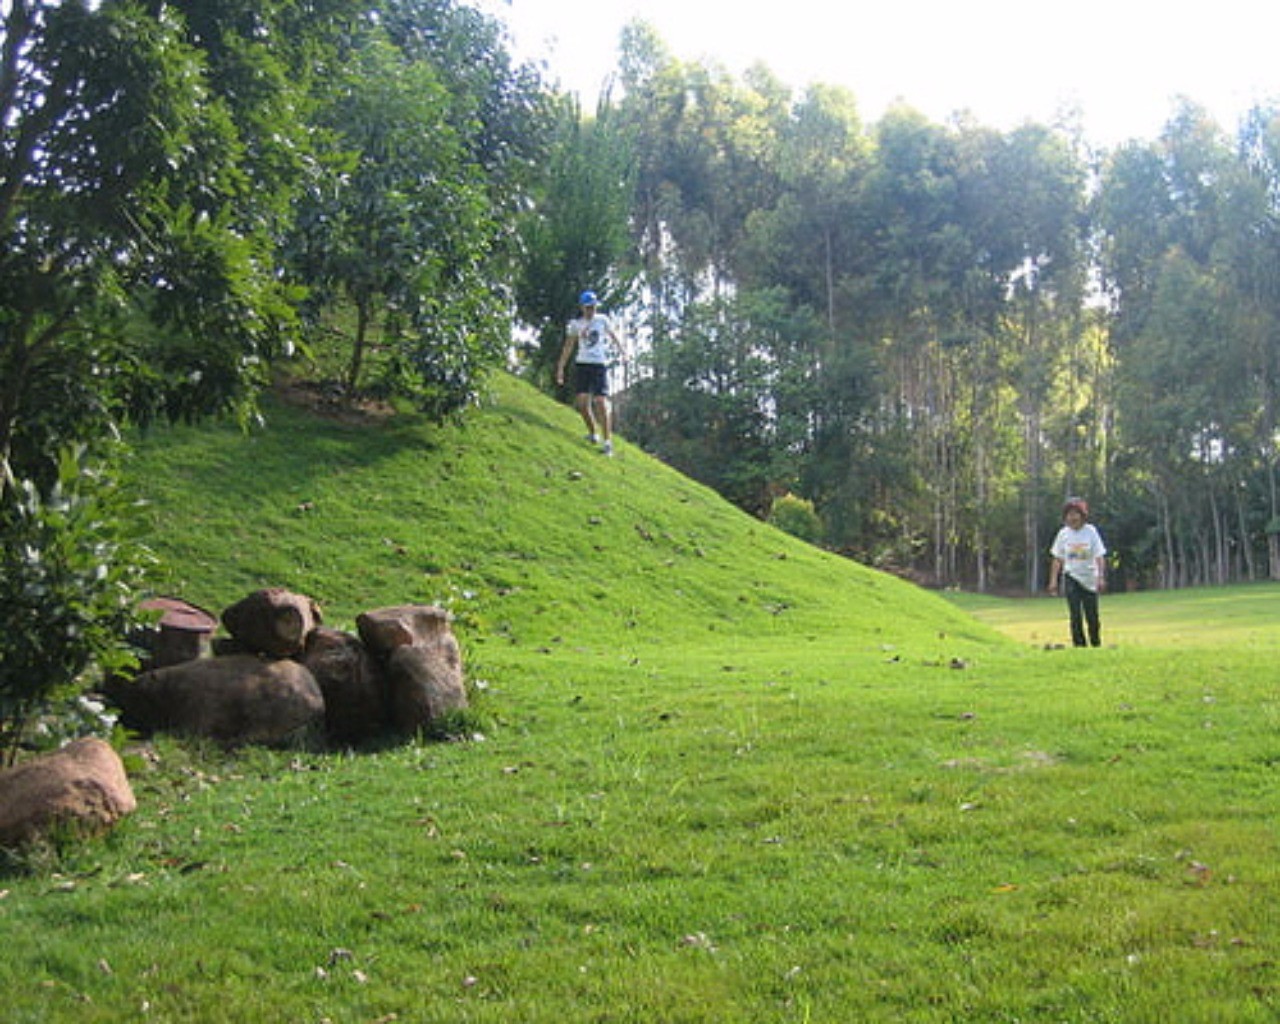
408, 218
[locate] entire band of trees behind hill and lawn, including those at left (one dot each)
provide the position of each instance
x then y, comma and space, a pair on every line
925, 336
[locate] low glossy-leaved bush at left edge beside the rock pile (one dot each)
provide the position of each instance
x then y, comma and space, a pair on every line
67, 591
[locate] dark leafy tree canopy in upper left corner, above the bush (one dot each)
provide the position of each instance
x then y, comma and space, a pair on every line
132, 195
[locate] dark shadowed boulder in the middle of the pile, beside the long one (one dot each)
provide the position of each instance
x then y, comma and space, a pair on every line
353, 683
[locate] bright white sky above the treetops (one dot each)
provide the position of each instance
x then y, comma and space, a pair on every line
1121, 62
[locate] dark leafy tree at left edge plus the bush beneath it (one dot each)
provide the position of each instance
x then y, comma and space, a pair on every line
147, 152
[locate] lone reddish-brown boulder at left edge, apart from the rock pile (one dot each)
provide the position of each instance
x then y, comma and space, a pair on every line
81, 789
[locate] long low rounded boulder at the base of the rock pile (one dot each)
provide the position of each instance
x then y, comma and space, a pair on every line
240, 700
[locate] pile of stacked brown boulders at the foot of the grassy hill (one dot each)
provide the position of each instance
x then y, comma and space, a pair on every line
282, 673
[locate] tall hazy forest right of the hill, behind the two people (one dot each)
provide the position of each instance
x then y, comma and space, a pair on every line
935, 333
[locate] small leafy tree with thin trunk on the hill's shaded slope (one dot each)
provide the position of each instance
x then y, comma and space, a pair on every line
400, 232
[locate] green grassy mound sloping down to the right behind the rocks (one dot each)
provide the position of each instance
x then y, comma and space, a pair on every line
516, 524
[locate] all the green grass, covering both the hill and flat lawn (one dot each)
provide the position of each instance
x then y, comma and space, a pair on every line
724, 776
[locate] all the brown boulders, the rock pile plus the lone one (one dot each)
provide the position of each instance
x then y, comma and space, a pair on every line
280, 675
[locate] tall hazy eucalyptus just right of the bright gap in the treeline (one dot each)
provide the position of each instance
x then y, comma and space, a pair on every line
1188, 400
